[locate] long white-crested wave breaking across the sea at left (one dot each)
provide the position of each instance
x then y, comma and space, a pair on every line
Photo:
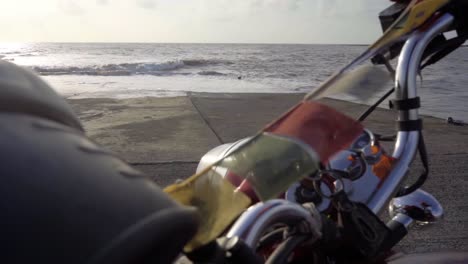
125, 69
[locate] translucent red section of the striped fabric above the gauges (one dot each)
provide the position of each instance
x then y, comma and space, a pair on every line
323, 128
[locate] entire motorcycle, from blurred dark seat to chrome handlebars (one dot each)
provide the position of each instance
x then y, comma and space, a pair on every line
307, 188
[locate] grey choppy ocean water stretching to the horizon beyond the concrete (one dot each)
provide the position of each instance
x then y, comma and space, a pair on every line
124, 70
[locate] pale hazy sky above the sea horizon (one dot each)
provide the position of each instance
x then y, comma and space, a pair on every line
192, 21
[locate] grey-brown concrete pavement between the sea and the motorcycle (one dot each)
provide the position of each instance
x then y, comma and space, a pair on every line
166, 137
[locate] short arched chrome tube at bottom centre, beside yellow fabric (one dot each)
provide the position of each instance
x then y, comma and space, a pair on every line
257, 219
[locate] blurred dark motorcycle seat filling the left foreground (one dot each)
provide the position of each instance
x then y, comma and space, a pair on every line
65, 200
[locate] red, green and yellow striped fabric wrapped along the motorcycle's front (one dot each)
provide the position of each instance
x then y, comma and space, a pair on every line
265, 166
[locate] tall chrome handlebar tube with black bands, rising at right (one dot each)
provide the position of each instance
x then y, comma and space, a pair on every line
406, 88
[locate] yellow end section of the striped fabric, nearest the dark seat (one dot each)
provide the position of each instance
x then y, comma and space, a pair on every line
217, 200
